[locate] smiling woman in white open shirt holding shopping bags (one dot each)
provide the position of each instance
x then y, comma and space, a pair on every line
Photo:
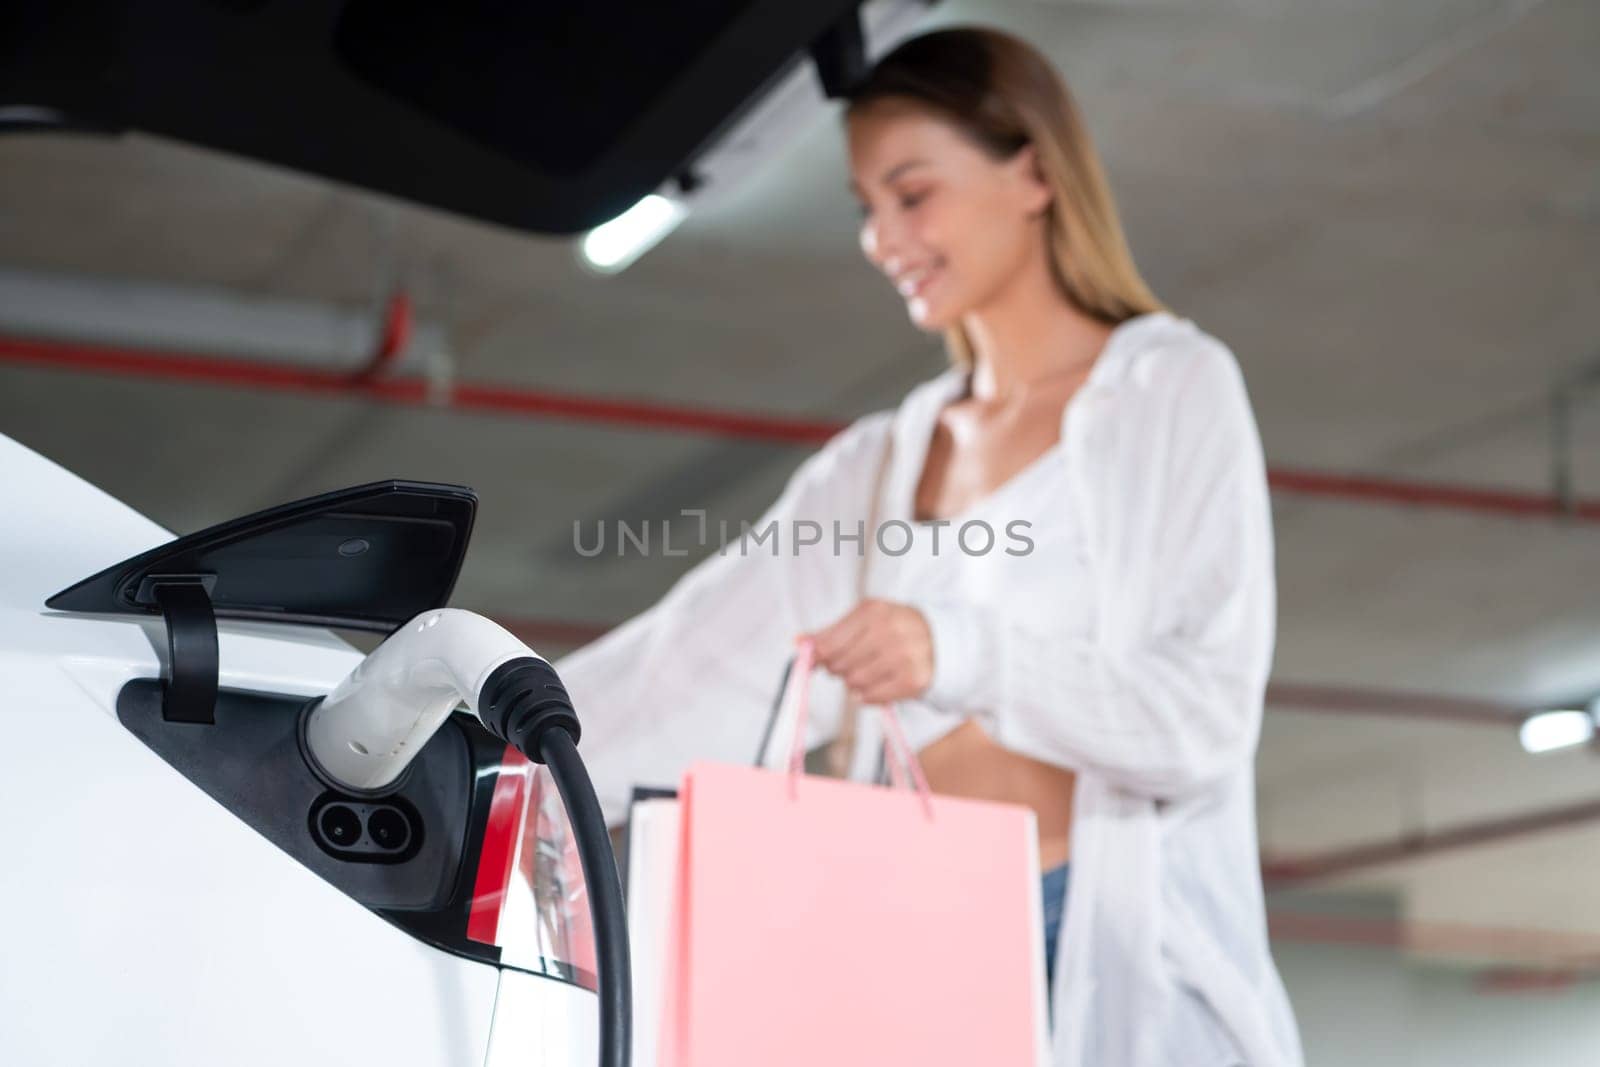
1105, 660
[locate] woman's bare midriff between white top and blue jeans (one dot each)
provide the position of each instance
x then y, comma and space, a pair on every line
967, 762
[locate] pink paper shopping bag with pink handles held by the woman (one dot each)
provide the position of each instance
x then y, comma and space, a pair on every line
823, 922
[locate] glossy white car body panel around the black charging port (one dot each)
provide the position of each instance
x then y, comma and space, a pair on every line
145, 924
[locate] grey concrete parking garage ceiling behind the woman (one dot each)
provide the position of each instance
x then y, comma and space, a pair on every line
1391, 212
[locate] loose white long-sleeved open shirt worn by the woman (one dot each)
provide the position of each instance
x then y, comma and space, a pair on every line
1154, 701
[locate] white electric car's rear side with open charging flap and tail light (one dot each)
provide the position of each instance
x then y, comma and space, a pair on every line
183, 884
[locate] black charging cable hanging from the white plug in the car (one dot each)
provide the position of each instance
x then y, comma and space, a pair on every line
526, 705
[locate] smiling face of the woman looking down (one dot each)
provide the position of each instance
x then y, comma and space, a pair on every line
945, 220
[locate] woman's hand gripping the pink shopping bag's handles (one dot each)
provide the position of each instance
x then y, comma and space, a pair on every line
882, 652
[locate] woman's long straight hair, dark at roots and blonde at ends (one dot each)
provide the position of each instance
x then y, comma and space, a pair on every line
1004, 95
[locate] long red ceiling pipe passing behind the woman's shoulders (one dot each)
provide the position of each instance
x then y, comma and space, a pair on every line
662, 417
